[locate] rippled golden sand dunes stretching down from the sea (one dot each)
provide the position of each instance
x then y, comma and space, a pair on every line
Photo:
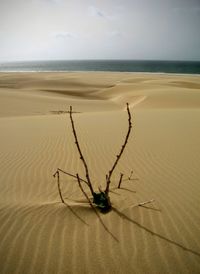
39, 234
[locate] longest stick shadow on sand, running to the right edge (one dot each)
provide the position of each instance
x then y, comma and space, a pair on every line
122, 215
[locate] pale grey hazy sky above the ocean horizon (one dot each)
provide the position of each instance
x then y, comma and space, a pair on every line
99, 29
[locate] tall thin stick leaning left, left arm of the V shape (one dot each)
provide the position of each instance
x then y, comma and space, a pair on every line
80, 152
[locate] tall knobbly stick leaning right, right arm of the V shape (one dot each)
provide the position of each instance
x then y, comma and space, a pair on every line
121, 151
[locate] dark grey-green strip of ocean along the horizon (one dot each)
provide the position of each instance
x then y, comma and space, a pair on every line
187, 67
